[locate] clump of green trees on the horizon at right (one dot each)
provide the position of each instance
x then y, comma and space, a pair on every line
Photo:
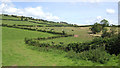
98, 27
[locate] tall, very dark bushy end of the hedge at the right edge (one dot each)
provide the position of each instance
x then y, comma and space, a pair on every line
111, 44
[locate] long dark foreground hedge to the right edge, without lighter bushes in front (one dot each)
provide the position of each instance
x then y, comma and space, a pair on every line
111, 45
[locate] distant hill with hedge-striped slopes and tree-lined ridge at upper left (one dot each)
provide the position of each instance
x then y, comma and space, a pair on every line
22, 20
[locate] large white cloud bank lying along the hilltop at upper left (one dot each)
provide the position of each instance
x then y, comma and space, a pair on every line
36, 12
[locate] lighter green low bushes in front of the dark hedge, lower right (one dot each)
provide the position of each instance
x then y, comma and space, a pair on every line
95, 55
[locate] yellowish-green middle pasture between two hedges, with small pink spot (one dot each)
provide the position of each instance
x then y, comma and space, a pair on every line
81, 32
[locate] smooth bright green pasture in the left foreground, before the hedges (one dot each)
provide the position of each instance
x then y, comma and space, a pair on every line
16, 53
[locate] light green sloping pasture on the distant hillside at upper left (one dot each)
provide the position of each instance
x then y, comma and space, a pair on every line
17, 21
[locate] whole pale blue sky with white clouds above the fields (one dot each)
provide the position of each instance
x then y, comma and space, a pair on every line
81, 13
